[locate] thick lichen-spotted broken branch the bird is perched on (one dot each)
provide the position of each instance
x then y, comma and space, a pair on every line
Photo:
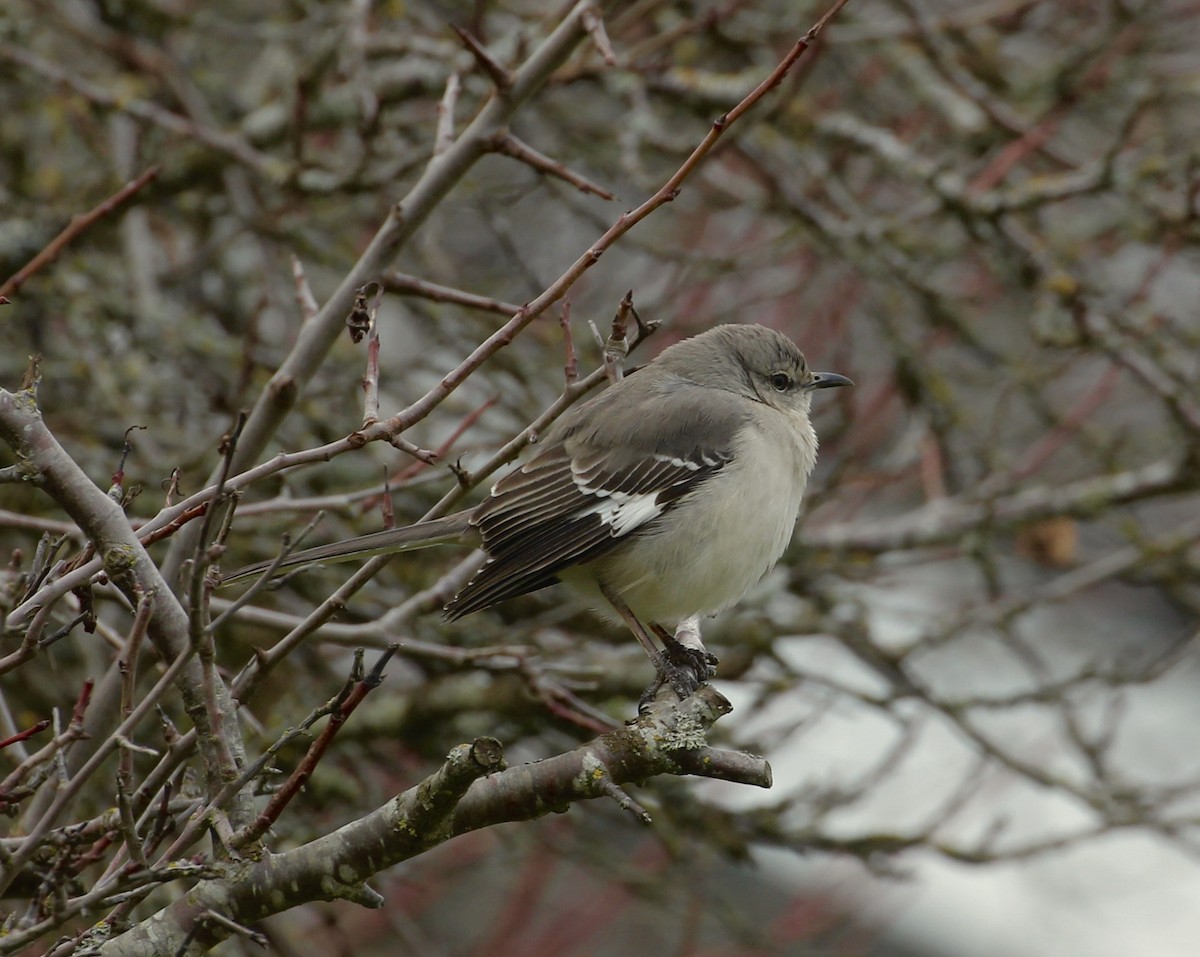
467, 793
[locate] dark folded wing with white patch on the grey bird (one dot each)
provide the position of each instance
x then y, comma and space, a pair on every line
577, 501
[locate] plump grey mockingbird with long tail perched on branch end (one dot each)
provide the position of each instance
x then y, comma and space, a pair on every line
670, 495
